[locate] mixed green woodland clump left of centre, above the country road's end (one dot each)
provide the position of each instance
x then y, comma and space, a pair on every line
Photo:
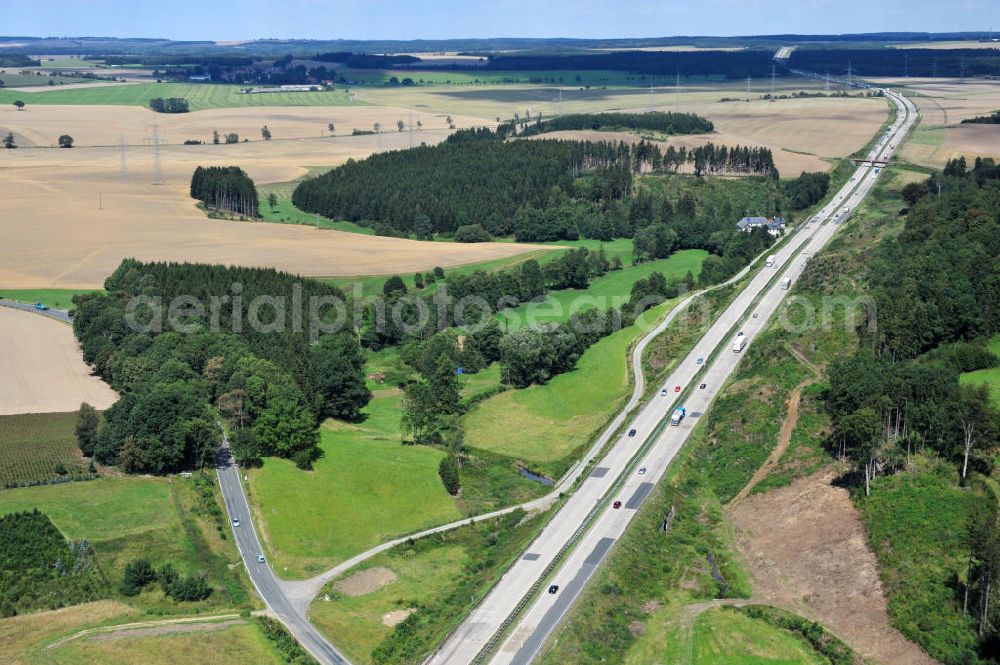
234, 344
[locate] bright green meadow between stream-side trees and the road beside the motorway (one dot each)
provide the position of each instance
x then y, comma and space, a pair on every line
560, 416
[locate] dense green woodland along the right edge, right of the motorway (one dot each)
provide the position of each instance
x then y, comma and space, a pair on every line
936, 301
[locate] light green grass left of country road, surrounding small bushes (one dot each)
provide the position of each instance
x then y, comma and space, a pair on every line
167, 520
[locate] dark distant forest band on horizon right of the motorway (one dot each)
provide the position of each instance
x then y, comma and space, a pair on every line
900, 62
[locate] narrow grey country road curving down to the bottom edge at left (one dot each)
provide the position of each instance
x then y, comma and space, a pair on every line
264, 580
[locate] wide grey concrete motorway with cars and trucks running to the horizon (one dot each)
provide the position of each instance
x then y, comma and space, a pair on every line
515, 619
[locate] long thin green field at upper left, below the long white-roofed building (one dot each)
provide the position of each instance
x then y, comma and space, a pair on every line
199, 96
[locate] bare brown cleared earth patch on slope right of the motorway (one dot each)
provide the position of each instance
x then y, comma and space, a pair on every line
807, 550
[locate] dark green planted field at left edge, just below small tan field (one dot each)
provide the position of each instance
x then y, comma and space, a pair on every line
31, 445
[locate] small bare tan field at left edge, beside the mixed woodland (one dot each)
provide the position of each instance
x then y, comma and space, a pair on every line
43, 371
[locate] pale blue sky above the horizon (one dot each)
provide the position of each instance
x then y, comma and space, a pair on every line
415, 19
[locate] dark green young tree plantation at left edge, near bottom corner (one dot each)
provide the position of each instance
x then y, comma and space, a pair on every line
39, 569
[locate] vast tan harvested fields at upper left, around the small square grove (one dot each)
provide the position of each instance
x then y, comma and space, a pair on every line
70, 218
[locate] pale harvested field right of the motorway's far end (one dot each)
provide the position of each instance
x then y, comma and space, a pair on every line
943, 104
